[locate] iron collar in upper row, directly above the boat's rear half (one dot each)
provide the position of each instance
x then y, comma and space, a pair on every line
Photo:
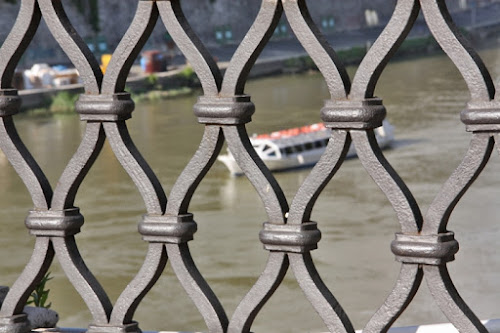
351, 114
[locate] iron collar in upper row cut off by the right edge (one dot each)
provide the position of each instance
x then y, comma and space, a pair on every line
482, 116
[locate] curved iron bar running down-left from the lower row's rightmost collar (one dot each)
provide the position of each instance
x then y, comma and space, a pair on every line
409, 280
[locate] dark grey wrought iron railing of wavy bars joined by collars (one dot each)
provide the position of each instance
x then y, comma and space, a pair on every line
424, 246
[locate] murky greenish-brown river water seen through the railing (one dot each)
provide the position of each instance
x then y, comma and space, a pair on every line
423, 97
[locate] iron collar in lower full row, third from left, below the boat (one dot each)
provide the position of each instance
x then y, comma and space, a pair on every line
295, 238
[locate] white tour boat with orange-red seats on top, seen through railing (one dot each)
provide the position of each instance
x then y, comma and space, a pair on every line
299, 147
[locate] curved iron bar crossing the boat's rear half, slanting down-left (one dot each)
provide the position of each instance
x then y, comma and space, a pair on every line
322, 173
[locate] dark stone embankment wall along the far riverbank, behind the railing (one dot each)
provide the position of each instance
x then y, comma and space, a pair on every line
209, 18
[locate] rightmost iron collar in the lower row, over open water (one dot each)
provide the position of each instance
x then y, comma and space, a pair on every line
425, 249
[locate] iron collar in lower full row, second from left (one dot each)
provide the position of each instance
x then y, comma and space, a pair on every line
168, 229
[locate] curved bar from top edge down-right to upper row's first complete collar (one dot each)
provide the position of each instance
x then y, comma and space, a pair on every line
72, 44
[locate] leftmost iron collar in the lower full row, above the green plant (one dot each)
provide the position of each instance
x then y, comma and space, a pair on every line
55, 223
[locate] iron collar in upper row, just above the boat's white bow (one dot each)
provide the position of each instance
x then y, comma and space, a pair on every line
235, 110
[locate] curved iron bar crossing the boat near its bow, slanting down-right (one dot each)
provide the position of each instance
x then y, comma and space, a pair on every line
261, 178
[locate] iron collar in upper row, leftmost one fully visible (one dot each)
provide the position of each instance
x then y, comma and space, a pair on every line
103, 108
